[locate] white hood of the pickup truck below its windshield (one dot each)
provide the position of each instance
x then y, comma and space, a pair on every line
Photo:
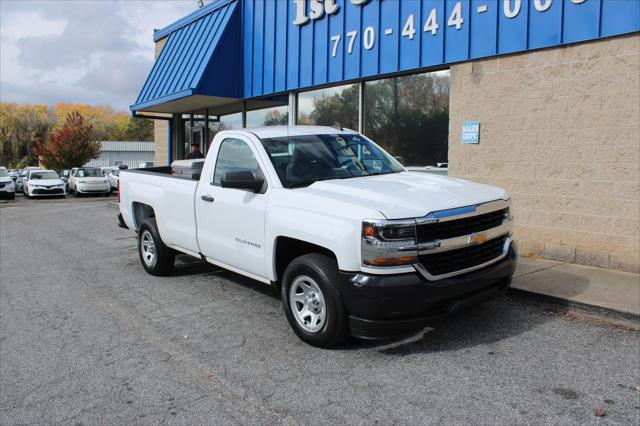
406, 194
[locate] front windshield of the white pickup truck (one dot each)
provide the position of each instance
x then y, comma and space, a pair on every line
303, 160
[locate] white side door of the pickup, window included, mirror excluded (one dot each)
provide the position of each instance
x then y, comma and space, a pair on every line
231, 221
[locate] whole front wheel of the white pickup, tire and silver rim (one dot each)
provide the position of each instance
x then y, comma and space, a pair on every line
311, 300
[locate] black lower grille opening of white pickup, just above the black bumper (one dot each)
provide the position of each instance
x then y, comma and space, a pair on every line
467, 257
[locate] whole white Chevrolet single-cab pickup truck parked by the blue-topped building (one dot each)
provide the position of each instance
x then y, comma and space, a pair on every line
356, 244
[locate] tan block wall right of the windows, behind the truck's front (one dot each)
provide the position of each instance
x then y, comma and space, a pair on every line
560, 129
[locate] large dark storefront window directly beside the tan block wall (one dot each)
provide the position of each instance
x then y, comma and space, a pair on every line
409, 117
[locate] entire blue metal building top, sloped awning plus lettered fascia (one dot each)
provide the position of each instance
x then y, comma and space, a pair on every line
249, 48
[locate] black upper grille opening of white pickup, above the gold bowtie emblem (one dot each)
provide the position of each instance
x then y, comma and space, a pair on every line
459, 227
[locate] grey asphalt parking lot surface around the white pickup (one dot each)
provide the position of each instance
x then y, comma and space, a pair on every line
87, 337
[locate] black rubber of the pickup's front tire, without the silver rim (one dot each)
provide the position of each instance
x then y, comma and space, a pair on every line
323, 270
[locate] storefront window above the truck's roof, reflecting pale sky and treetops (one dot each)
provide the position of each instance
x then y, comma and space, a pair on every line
334, 106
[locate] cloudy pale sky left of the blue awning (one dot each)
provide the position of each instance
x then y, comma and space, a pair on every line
97, 52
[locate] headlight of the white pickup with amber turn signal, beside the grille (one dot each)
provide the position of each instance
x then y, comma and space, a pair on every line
389, 243
